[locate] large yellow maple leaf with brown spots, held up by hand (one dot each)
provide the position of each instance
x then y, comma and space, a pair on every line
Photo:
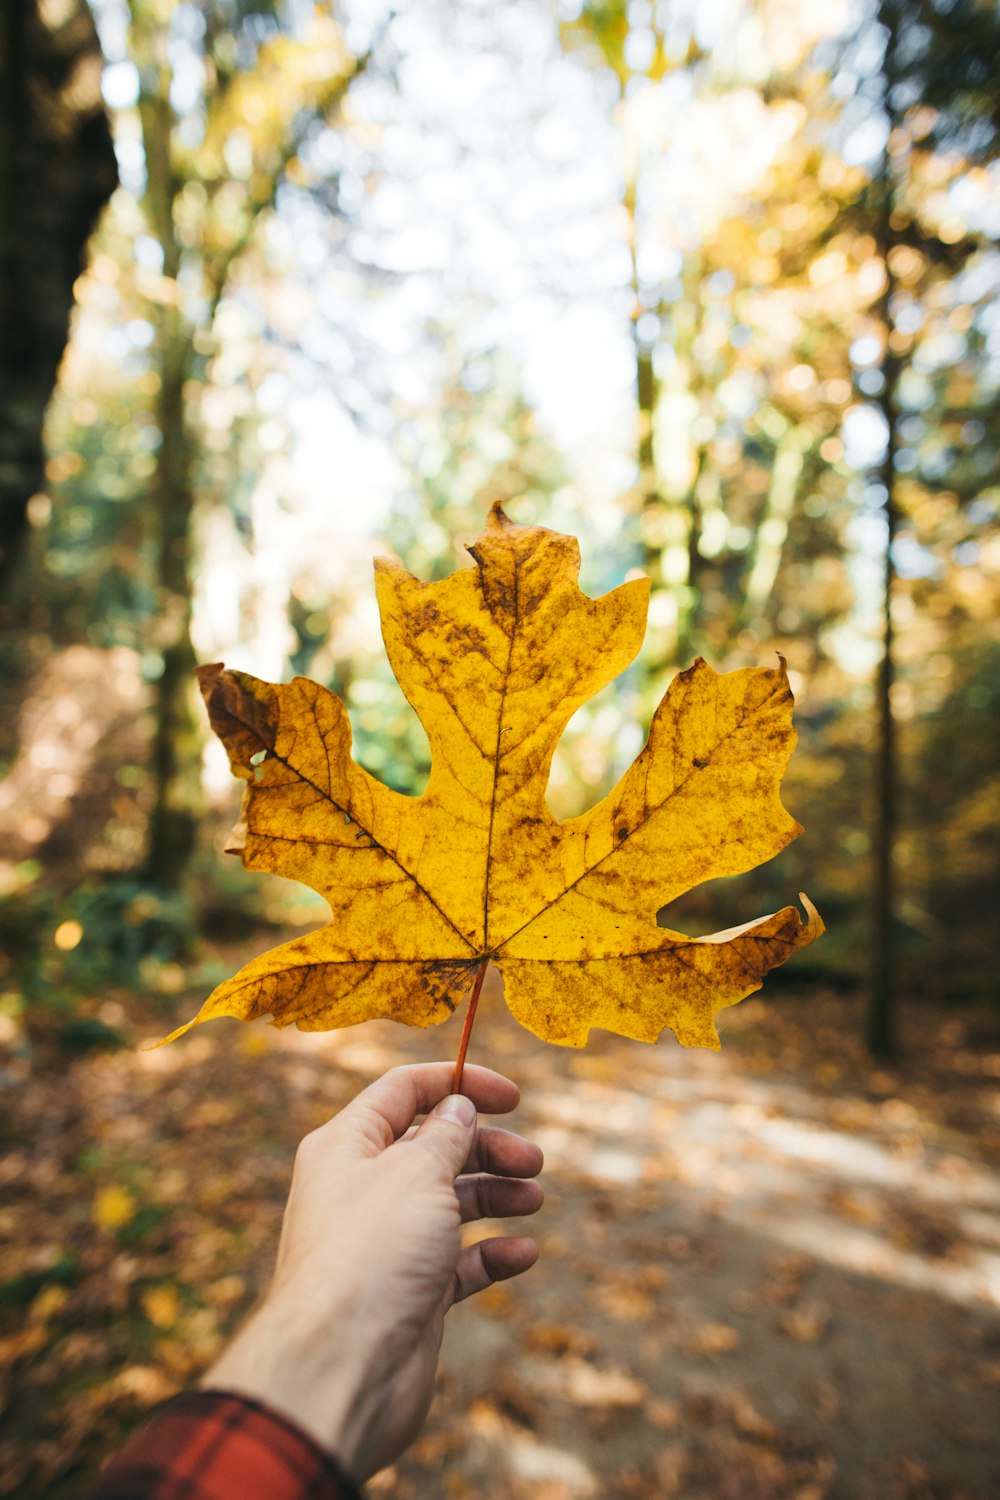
427, 890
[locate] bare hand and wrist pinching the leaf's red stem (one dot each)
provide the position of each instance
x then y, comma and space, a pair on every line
370, 1262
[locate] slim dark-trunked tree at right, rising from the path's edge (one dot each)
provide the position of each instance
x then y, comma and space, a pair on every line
939, 115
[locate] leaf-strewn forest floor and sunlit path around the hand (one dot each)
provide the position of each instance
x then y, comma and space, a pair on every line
765, 1273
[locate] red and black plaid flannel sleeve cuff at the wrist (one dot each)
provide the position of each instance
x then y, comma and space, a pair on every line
214, 1445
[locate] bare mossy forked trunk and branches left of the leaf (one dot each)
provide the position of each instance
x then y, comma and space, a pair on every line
208, 257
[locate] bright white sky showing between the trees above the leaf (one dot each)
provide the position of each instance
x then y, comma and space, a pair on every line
494, 218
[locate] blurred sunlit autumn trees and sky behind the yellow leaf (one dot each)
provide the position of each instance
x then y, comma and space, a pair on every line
711, 286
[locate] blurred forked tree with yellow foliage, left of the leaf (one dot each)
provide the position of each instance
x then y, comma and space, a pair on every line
211, 178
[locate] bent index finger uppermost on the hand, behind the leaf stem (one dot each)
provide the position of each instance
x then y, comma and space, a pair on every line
383, 1112
